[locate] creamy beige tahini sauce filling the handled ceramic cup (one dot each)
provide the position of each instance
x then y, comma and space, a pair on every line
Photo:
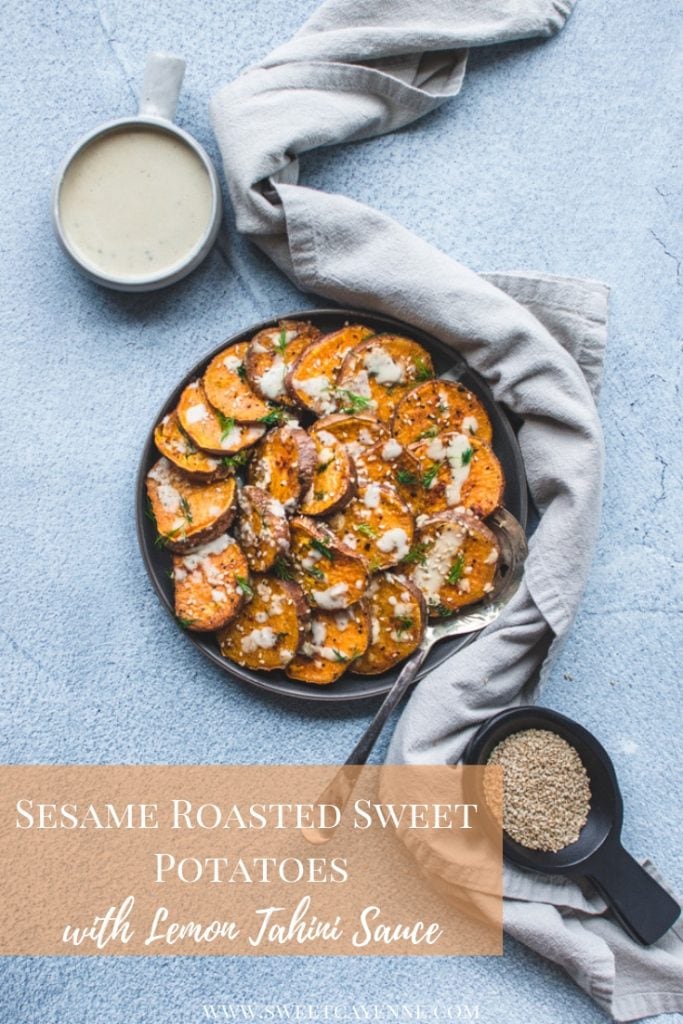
136, 203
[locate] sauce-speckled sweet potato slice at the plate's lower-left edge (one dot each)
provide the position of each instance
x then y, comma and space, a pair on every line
211, 584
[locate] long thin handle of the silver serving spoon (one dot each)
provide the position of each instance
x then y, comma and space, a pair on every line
339, 791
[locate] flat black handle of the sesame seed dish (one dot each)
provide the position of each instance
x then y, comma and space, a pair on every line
643, 907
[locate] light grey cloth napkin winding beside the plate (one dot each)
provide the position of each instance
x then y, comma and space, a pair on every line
354, 71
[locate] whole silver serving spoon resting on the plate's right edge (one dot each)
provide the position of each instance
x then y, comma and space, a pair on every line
513, 542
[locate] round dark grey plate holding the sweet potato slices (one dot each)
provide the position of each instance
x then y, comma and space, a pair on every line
158, 562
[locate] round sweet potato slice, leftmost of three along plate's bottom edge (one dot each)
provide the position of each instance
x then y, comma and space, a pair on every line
270, 628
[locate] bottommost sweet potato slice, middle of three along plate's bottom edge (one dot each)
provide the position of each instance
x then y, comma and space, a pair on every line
333, 642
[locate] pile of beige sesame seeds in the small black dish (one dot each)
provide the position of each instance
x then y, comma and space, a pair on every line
547, 795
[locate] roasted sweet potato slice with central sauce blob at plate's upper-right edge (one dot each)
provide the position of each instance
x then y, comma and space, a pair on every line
385, 369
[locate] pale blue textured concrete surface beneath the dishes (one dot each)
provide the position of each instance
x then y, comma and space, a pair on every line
559, 157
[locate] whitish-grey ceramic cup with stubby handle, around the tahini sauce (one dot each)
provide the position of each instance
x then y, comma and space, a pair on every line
163, 78
